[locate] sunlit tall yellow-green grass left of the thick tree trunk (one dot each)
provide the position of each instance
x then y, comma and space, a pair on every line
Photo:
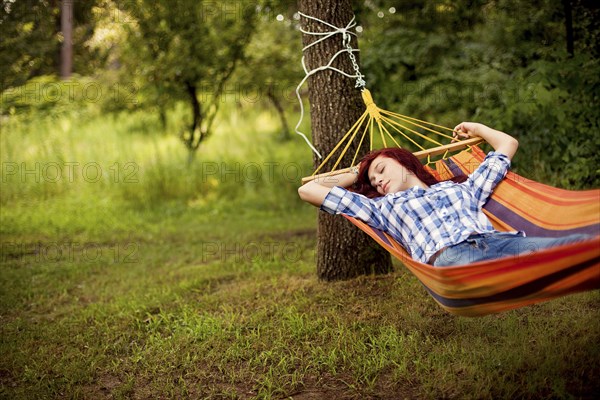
66, 174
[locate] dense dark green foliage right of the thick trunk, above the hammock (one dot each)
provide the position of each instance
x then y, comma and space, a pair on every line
503, 63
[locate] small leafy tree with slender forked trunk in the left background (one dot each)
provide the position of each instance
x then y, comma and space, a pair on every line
188, 48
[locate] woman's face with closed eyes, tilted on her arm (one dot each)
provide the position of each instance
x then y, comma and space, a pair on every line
389, 176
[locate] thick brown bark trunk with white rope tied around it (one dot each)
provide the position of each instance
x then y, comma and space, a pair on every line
343, 251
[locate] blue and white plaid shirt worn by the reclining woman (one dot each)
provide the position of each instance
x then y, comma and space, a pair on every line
426, 220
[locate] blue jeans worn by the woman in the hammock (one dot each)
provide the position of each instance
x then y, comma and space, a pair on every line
489, 246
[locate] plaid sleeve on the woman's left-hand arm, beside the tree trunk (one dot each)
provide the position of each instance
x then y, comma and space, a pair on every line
342, 201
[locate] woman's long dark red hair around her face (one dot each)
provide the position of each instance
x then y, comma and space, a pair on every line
405, 158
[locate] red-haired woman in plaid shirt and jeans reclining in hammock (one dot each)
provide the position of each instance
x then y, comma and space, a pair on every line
440, 223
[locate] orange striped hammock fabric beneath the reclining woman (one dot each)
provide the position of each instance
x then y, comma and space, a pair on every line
517, 204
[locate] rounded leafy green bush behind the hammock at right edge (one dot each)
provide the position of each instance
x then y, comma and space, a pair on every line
553, 110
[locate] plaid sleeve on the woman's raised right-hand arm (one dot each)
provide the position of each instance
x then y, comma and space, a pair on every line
484, 179
